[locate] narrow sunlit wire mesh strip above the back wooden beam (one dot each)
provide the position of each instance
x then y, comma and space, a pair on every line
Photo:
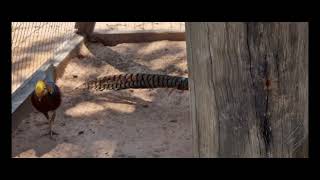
170, 26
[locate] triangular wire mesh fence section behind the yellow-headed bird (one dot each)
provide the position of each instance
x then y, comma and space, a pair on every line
33, 43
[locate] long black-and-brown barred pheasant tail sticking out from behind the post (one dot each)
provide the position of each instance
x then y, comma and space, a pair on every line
136, 81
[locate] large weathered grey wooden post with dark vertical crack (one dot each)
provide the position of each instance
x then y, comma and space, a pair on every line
249, 89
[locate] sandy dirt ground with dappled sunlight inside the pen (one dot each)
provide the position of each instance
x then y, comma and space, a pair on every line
128, 123
